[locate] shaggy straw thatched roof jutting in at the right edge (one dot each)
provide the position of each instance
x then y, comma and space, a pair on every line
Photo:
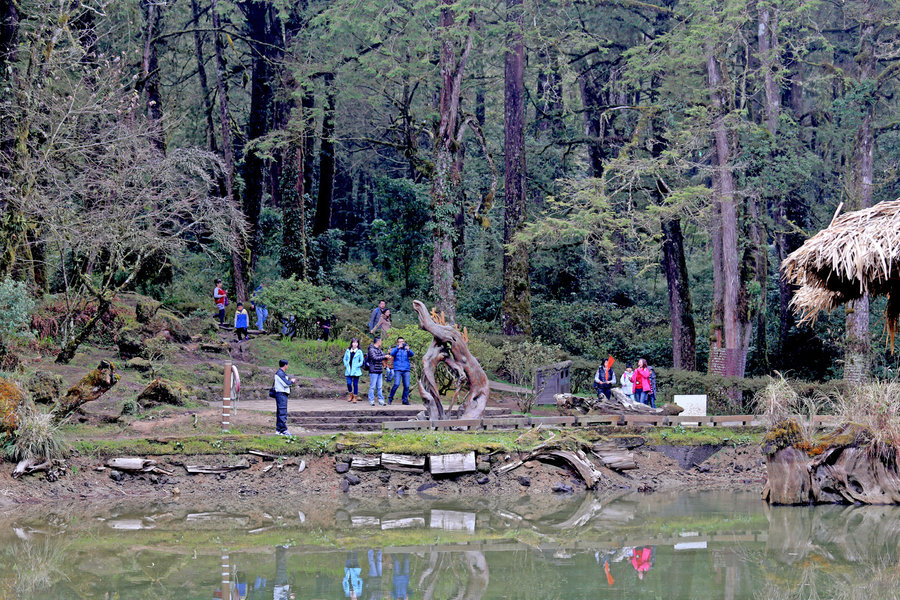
857, 255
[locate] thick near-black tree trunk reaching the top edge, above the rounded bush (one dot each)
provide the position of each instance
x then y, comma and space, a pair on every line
262, 41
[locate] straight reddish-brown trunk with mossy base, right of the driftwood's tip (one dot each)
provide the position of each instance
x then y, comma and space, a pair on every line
515, 310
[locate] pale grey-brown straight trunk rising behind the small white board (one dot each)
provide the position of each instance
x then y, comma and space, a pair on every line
733, 322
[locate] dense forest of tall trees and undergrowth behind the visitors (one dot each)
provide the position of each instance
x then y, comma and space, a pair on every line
605, 177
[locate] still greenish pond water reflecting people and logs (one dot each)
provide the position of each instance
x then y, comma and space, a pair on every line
691, 546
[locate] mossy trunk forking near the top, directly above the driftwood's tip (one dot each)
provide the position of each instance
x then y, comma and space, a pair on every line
446, 178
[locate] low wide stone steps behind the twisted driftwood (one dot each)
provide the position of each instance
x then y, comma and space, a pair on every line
365, 418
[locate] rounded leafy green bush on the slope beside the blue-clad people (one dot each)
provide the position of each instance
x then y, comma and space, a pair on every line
299, 302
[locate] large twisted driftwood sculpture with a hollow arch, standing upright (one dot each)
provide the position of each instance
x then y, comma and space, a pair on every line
449, 346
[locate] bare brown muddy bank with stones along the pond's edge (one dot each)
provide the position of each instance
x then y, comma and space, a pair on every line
660, 469
